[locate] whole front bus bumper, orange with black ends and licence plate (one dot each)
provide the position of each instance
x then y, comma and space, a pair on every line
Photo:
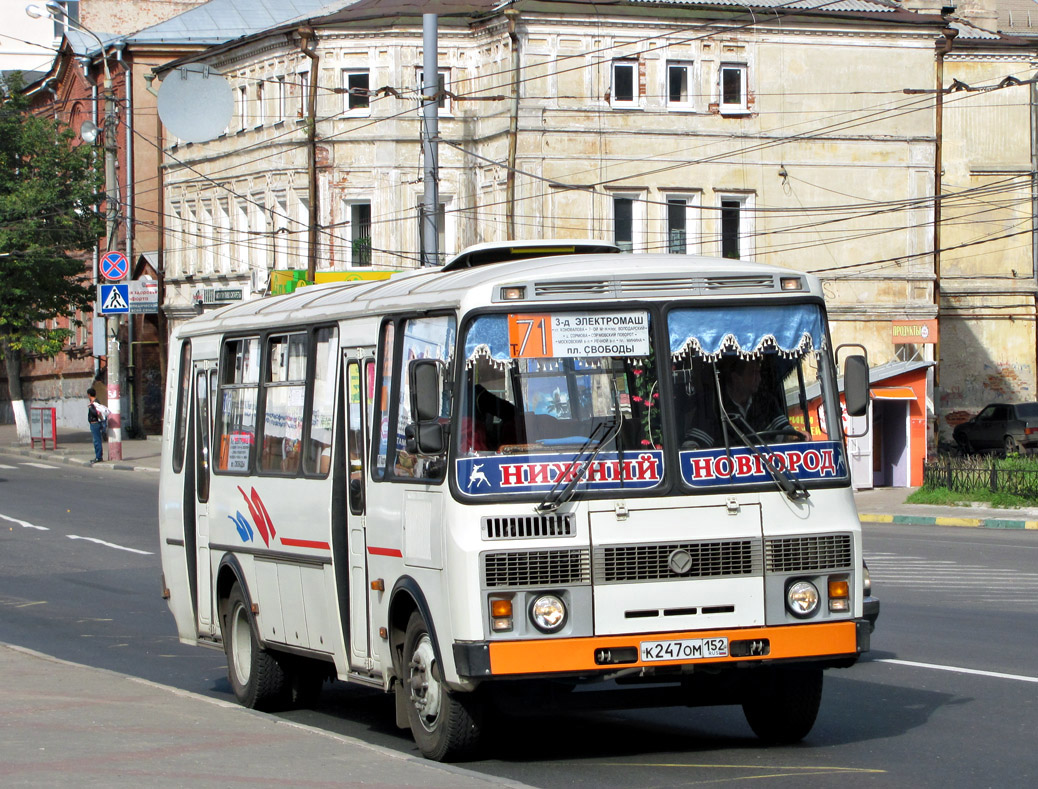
839, 642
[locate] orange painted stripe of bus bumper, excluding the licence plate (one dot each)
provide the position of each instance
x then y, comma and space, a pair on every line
547, 656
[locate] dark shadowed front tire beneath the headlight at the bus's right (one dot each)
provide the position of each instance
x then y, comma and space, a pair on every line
782, 705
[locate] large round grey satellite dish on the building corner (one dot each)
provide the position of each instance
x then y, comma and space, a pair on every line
196, 104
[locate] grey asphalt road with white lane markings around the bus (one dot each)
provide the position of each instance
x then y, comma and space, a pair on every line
948, 697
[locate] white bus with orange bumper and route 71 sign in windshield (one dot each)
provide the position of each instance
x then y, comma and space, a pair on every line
512, 482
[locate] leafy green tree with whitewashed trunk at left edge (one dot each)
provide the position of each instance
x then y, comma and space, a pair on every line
49, 193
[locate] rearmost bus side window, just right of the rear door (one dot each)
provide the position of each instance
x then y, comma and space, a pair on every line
239, 391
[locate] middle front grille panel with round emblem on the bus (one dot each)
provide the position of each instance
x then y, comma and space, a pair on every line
619, 564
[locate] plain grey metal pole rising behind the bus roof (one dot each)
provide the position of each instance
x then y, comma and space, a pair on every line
430, 135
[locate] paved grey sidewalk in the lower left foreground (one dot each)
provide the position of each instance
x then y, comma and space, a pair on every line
71, 725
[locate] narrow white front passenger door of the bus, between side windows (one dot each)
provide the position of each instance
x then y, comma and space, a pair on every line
359, 377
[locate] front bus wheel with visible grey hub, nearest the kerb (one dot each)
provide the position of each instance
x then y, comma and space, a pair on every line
446, 725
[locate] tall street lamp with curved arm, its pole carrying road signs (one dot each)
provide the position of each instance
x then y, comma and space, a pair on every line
54, 10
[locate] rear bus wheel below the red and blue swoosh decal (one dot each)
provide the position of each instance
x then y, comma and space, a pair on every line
258, 679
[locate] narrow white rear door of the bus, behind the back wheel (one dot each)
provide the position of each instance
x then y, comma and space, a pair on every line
205, 393
